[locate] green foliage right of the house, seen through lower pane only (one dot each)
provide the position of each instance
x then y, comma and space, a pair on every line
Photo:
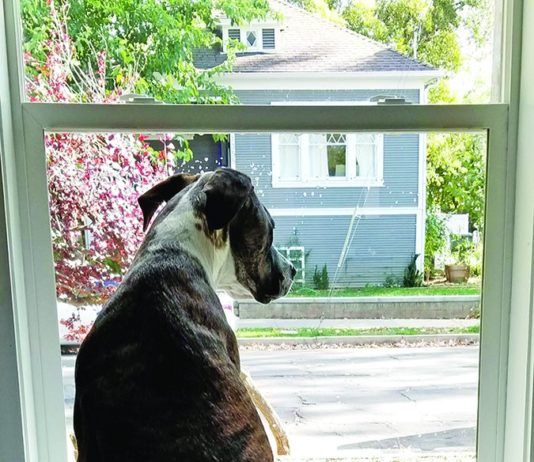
456, 166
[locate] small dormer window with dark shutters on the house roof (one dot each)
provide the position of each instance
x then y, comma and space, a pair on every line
255, 37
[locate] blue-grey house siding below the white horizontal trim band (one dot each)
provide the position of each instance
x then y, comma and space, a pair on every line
380, 246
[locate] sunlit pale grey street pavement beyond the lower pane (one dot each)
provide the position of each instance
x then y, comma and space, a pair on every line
349, 401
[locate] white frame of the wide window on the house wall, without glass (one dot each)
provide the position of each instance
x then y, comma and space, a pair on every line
350, 180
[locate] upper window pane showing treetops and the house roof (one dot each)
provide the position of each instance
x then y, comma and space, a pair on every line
178, 52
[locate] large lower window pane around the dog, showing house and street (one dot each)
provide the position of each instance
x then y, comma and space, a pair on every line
354, 245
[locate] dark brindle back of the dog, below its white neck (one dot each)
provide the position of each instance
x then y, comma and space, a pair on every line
157, 379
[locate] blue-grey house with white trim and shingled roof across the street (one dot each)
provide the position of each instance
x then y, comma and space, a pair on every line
352, 201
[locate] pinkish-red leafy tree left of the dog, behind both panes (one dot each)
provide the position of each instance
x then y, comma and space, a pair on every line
94, 179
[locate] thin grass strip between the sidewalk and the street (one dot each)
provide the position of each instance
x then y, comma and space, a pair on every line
331, 332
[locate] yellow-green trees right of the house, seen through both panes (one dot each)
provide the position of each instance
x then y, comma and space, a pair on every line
428, 30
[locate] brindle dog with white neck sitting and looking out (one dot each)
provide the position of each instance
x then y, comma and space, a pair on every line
158, 375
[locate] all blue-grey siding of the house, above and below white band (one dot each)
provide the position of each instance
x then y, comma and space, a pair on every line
382, 245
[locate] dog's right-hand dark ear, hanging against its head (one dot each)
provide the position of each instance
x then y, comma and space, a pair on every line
226, 192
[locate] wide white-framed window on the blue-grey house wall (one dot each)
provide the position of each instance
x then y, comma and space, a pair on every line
327, 159
